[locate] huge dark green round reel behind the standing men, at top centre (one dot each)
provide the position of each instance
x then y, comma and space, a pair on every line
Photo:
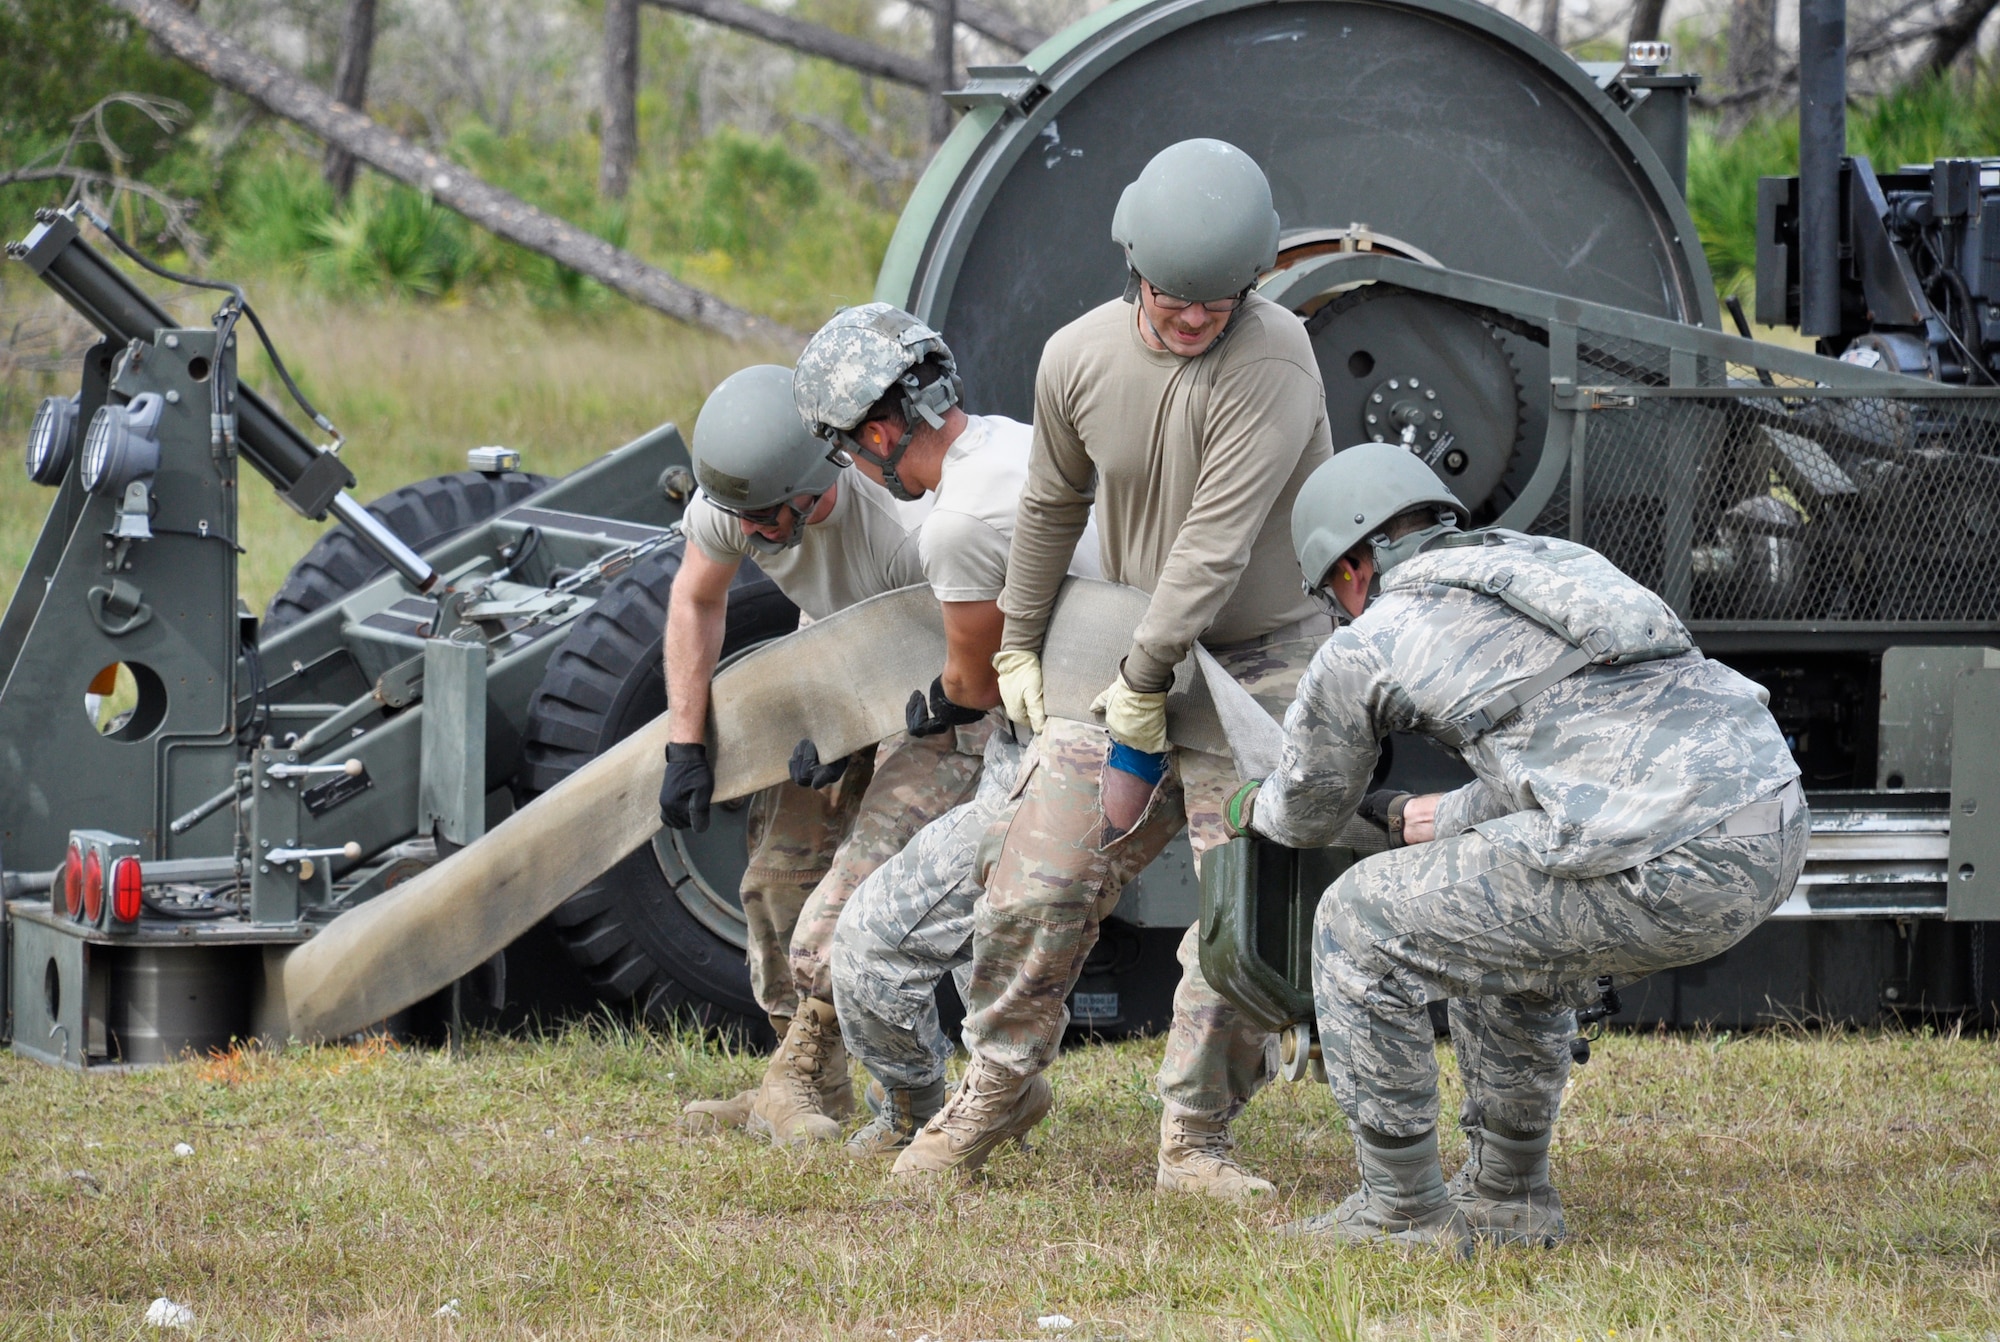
1433, 129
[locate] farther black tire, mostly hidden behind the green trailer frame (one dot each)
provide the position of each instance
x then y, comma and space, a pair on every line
421, 515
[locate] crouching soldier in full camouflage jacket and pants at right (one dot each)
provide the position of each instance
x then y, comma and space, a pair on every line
1633, 809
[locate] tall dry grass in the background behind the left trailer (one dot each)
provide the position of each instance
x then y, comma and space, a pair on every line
413, 387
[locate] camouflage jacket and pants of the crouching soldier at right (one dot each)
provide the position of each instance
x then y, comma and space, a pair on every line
1625, 821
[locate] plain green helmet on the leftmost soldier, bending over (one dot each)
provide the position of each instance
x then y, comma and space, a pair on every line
753, 457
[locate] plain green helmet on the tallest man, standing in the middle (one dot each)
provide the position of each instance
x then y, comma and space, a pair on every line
1199, 223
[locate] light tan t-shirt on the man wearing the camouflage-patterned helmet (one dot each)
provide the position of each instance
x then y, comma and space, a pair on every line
971, 523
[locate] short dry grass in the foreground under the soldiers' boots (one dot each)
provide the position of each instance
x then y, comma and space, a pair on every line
1769, 1187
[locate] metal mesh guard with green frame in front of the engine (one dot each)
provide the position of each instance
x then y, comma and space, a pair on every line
1755, 487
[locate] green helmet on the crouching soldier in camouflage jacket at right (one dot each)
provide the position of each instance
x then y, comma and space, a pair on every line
1355, 495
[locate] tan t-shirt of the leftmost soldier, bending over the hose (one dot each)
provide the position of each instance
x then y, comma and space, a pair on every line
863, 549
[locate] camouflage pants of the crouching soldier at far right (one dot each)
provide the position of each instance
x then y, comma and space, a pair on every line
1515, 951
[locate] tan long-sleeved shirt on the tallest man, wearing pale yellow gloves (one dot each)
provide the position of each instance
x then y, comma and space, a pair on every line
1193, 465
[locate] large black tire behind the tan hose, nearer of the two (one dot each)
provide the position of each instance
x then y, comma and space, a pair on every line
665, 927
